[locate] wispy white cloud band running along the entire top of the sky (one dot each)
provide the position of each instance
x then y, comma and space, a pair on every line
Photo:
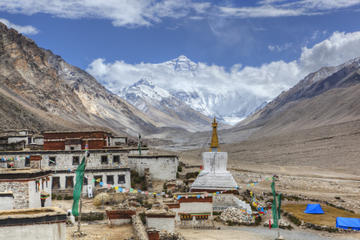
133, 13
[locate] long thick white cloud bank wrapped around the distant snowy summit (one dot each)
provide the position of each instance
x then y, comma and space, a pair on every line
266, 81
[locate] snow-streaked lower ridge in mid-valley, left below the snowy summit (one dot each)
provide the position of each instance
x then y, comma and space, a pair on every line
163, 107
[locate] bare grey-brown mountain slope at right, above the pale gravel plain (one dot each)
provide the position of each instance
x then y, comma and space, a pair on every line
328, 96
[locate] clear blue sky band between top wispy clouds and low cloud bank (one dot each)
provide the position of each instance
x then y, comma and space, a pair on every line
218, 39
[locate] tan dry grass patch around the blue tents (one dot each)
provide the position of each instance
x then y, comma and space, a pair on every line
327, 219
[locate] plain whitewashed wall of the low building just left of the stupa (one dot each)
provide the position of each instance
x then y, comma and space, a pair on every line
161, 167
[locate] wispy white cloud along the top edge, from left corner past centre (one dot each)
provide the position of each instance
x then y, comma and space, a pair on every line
129, 13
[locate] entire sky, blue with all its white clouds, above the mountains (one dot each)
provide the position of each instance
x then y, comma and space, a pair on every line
263, 46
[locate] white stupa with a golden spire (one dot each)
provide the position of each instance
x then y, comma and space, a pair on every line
214, 176
